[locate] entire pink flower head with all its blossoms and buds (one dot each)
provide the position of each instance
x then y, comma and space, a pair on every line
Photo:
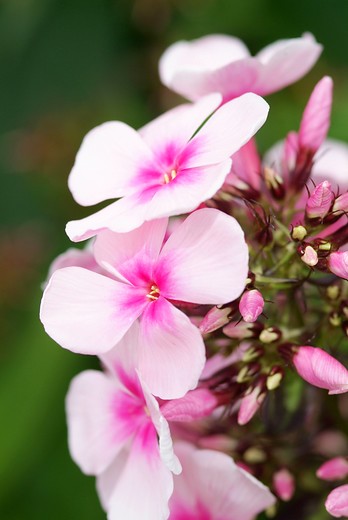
213, 292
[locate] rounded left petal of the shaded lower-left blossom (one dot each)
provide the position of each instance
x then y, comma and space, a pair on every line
95, 433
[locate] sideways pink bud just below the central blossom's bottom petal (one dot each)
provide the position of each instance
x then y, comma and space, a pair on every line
194, 405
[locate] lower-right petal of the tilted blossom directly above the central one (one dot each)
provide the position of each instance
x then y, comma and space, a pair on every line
188, 190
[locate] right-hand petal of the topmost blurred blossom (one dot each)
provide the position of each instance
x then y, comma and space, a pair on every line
285, 62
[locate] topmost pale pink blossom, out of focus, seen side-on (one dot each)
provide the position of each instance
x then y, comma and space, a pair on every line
220, 63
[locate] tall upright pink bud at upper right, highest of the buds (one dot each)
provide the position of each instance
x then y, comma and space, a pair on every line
316, 116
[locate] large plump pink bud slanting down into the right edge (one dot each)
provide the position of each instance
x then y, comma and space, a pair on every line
320, 369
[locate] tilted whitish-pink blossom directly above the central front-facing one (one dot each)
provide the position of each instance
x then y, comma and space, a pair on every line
161, 170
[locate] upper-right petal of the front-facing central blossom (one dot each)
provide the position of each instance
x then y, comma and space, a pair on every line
205, 260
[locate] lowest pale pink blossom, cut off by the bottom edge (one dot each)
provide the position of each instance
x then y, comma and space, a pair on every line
213, 487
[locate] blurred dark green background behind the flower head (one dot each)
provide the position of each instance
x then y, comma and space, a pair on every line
66, 66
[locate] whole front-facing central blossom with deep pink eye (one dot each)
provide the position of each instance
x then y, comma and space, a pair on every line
204, 261
